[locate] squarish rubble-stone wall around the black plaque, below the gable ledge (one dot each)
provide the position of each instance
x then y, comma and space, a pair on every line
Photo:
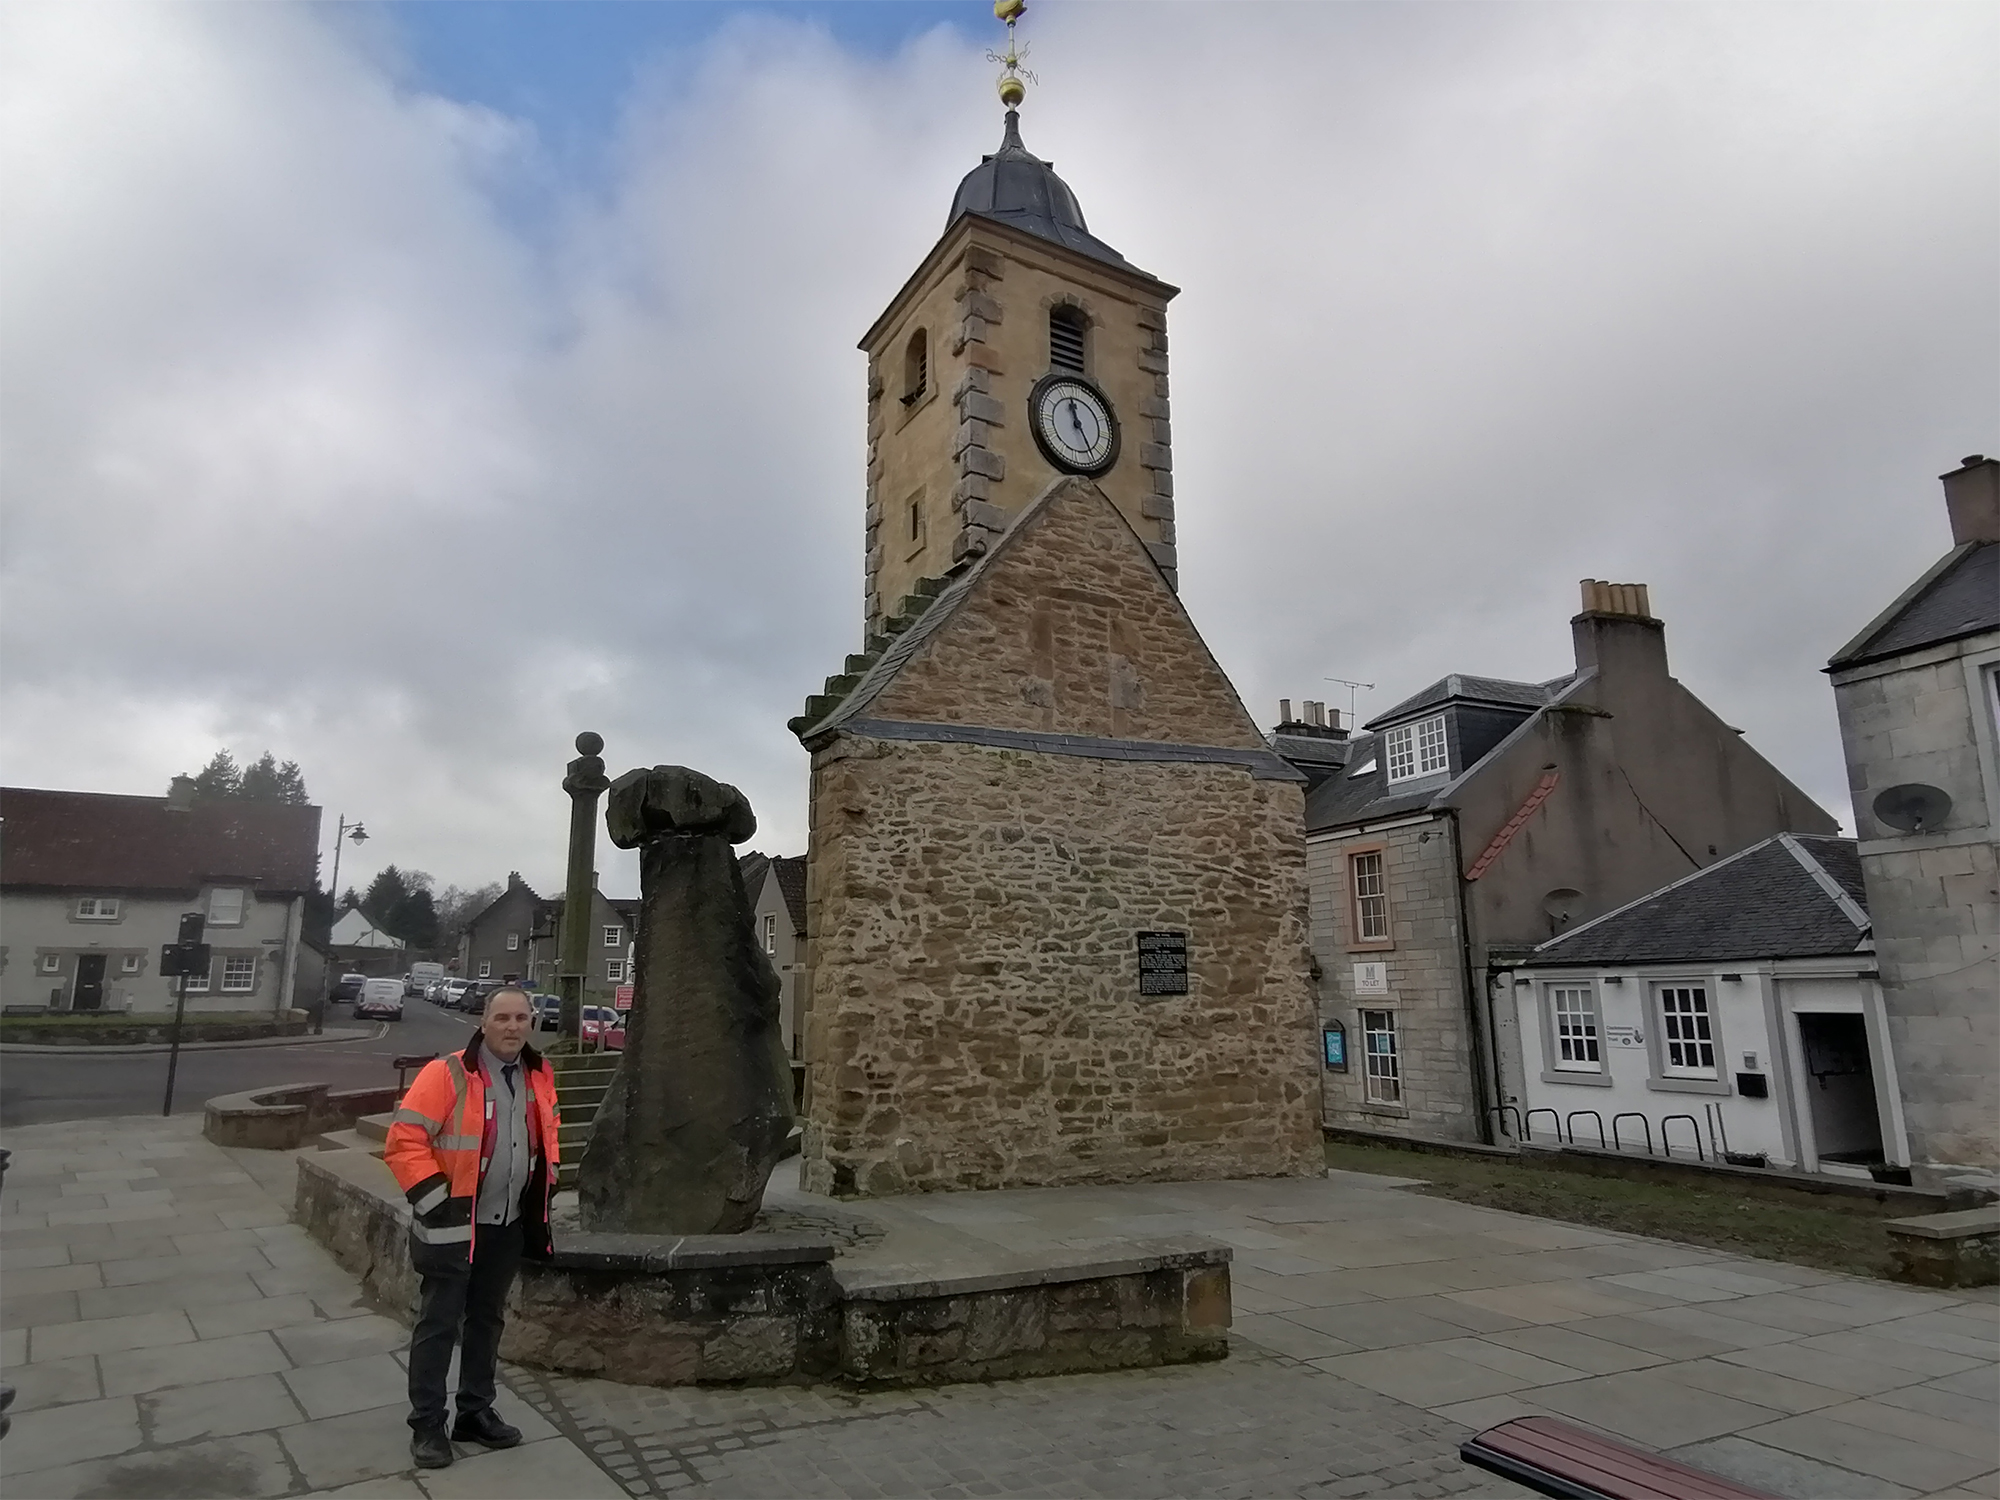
975, 1013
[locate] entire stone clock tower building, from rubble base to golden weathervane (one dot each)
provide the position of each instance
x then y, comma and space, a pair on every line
1055, 875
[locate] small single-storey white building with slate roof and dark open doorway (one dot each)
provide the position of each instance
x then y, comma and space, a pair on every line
1733, 1011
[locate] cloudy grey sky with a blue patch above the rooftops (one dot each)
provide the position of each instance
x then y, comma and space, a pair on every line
407, 389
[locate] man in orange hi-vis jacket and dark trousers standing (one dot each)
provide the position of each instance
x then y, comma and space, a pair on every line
475, 1151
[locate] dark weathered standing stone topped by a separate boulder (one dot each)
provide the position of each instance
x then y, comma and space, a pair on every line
701, 1105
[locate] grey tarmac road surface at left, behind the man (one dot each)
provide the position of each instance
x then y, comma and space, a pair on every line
41, 1087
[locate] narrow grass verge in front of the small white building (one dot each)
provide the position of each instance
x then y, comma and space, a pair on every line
1717, 1217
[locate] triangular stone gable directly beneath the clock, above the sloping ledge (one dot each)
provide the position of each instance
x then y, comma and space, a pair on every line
1073, 631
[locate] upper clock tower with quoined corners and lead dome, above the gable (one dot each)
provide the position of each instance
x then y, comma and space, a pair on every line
1021, 351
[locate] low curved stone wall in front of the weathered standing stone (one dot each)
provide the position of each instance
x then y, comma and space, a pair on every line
773, 1309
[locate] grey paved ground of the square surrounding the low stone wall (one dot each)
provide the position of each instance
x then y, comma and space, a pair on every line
195, 1343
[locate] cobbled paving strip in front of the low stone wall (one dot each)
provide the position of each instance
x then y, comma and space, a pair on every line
1255, 1425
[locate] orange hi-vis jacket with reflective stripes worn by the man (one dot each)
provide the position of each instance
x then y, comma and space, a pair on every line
441, 1141
